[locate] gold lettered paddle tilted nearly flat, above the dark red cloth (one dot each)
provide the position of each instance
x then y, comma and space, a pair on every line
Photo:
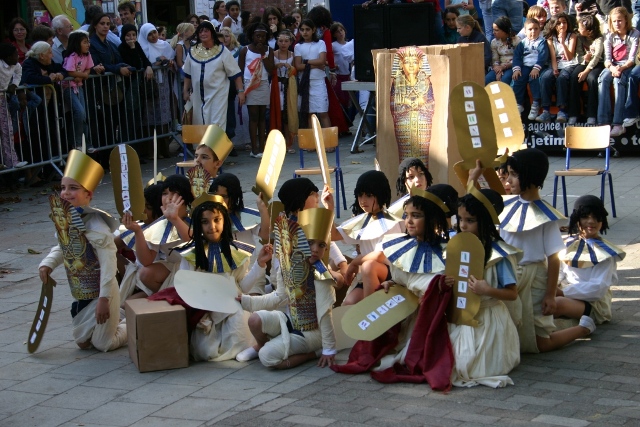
378, 312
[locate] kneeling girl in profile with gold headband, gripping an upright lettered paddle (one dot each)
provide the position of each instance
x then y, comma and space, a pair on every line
485, 354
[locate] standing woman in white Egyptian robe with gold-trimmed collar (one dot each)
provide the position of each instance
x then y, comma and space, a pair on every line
208, 68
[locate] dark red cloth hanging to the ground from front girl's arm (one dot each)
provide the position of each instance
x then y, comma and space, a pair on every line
430, 354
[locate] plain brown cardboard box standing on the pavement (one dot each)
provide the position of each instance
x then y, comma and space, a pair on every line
157, 335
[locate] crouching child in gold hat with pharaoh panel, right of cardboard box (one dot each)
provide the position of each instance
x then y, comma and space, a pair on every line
304, 330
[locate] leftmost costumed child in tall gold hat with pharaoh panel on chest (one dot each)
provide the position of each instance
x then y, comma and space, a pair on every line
88, 252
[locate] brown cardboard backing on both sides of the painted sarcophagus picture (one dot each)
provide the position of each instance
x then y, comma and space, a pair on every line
450, 64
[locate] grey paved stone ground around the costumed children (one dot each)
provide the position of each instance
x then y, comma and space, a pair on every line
593, 382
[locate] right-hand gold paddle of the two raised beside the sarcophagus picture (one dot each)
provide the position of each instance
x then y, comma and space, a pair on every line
506, 117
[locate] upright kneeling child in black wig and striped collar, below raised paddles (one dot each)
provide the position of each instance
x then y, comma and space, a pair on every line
531, 224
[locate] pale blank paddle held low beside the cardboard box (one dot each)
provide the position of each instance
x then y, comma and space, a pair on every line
207, 291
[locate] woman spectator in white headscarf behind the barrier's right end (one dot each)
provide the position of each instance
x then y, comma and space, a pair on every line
160, 54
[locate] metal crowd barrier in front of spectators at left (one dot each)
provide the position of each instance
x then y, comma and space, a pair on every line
45, 123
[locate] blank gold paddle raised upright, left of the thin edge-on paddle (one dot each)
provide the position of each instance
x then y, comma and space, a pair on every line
270, 165
